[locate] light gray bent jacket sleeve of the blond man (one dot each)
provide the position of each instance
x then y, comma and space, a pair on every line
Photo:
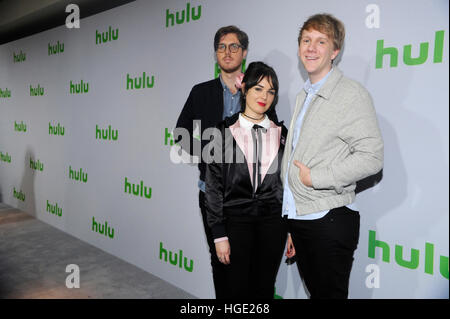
359, 130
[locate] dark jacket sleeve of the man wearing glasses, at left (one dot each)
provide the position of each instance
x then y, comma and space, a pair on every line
184, 130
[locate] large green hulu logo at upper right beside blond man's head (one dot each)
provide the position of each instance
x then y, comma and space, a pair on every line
392, 52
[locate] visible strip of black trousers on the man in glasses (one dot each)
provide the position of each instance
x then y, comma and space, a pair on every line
218, 269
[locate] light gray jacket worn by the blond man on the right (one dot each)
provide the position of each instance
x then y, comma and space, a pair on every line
340, 142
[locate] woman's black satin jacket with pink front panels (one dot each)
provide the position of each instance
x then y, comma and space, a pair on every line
229, 190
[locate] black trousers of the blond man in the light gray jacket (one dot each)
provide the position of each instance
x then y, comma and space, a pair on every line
324, 249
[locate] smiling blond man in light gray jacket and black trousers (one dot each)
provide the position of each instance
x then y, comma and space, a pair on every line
333, 141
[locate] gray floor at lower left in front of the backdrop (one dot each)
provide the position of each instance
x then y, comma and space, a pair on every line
34, 256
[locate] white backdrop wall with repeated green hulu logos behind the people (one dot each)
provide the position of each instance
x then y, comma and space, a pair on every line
86, 117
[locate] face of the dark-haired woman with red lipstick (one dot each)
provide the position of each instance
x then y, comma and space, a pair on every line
259, 98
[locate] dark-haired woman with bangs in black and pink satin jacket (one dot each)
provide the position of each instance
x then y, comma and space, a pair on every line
244, 192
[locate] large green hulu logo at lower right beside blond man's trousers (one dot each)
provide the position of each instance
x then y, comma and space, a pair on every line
415, 254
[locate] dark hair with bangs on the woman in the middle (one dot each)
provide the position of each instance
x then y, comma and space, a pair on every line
255, 72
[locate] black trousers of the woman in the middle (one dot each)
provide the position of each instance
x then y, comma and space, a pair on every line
257, 244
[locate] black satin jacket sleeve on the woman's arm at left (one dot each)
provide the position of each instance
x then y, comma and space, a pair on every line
214, 190
